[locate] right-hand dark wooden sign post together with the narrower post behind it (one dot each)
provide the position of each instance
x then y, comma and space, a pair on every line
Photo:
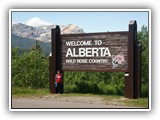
132, 80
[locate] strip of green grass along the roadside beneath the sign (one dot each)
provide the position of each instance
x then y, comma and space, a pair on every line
108, 99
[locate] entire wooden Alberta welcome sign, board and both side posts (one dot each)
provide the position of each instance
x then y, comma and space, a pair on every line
107, 52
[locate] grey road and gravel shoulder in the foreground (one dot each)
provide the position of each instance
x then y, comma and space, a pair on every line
60, 101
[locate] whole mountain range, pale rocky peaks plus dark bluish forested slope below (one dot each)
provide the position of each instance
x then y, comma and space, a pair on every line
24, 36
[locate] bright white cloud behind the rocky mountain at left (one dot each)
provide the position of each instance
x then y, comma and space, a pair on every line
37, 22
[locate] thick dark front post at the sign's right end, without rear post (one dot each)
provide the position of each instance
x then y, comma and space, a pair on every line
130, 77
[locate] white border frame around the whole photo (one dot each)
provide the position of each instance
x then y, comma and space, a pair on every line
85, 10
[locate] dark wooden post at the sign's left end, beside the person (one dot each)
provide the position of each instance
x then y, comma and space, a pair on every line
55, 58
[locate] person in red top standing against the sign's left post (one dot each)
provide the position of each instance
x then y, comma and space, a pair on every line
58, 82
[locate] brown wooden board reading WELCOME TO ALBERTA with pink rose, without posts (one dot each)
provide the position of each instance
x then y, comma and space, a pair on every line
95, 51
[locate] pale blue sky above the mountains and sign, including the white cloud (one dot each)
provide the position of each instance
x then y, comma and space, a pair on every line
89, 21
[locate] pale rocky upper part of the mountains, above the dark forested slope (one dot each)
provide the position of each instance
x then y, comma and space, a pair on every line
42, 33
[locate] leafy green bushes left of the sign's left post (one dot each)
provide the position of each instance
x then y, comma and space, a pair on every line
30, 69
